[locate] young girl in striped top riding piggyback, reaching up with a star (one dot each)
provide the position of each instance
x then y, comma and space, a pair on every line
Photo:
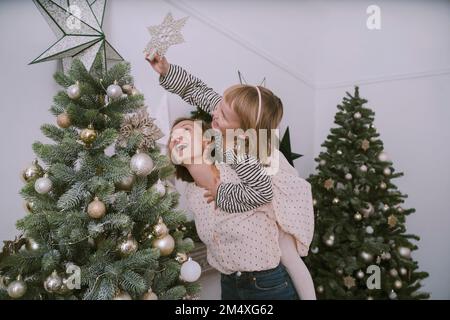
247, 107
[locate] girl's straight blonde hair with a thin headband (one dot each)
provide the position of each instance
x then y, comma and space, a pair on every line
244, 100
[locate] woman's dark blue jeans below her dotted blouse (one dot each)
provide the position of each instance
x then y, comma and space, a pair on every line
272, 284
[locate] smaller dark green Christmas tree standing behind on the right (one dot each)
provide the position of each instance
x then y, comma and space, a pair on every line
360, 249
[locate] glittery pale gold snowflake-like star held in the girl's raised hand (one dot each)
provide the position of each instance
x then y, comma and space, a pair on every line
165, 35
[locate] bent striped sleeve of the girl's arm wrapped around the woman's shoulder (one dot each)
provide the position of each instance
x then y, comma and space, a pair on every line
254, 190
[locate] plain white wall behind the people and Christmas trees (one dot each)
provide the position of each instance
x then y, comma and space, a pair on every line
311, 52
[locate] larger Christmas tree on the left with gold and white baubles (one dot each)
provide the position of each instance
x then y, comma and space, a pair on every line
102, 221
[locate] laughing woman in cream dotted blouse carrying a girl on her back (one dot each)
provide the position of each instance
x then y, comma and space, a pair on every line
245, 247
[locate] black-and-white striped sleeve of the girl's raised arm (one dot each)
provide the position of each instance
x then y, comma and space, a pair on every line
189, 88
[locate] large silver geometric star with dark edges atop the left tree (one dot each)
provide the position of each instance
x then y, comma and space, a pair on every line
78, 26
